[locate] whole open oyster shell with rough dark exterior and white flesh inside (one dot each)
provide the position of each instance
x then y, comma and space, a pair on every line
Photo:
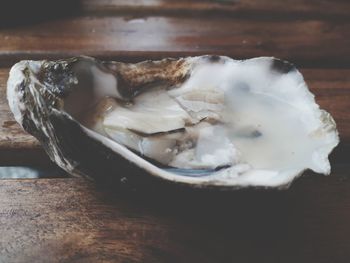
206, 121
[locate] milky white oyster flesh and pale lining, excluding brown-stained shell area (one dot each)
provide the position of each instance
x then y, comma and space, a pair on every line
243, 121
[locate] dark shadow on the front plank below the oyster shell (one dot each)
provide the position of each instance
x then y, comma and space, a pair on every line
295, 225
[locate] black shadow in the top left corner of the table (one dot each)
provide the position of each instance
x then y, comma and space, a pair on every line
18, 12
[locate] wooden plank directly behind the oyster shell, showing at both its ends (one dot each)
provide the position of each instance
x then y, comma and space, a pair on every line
331, 87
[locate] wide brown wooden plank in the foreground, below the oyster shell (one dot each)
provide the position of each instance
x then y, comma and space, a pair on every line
70, 220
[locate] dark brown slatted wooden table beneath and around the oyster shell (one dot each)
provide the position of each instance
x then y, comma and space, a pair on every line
73, 220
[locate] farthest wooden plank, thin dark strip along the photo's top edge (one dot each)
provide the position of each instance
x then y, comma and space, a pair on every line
38, 10
